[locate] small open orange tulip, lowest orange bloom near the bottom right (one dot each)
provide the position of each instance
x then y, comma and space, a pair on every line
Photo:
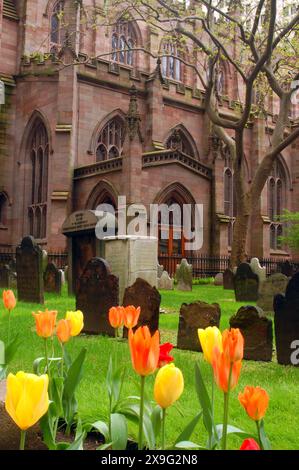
255, 401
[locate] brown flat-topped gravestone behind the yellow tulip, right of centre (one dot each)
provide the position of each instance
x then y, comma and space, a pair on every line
193, 316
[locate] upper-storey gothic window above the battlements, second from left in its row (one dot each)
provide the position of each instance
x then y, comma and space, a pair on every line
122, 42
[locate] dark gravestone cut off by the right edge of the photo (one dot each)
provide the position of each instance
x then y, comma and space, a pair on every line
286, 322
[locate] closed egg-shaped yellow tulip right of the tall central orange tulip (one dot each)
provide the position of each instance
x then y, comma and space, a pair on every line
169, 385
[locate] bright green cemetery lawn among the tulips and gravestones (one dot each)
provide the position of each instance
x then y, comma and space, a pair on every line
281, 382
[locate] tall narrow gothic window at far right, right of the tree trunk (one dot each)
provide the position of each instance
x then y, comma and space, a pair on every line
276, 204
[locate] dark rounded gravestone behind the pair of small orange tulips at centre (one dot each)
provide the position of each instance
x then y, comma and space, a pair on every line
142, 294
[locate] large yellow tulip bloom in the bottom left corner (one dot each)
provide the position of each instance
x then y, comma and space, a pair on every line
27, 398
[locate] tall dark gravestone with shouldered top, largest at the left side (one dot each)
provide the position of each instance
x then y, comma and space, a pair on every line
30, 283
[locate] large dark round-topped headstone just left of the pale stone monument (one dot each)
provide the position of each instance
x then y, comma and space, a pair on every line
97, 292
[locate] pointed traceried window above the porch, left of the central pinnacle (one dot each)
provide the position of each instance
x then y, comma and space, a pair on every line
110, 141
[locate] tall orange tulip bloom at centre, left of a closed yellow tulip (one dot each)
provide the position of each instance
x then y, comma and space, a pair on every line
145, 350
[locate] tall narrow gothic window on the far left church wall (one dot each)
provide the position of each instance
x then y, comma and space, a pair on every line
38, 150
